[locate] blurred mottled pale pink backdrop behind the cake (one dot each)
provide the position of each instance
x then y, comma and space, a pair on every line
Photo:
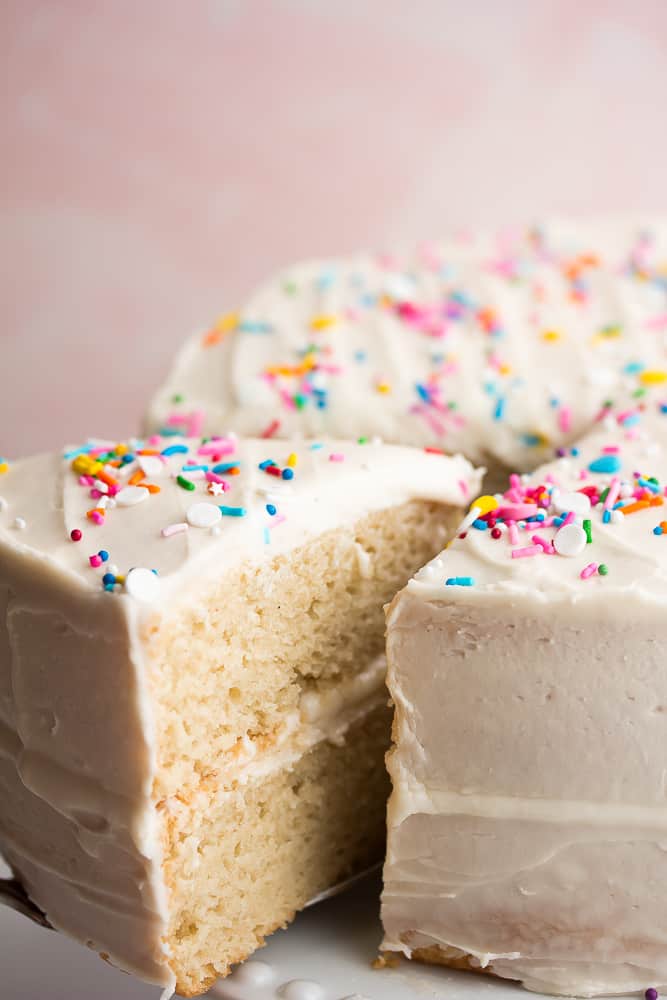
159, 157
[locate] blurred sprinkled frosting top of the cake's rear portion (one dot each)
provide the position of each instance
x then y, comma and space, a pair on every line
504, 346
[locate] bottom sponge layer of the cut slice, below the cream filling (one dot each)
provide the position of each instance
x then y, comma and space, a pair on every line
246, 866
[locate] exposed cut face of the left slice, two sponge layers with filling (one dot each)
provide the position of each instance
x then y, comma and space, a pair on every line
272, 722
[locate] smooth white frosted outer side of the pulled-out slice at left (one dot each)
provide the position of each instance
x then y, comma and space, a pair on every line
77, 821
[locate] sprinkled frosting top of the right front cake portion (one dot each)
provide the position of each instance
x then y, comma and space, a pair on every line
585, 525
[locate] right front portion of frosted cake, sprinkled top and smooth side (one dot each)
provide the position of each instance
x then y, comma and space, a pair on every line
528, 819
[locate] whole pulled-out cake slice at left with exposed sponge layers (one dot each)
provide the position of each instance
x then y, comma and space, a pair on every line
192, 706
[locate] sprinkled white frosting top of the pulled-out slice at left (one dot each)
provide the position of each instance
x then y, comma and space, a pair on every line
131, 517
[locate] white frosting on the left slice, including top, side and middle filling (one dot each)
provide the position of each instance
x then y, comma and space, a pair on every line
77, 758
